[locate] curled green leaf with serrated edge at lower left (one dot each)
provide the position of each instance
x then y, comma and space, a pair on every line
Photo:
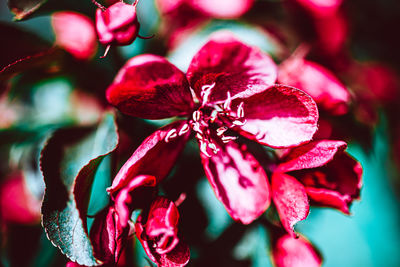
69, 163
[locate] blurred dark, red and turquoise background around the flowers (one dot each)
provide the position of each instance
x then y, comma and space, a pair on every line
360, 45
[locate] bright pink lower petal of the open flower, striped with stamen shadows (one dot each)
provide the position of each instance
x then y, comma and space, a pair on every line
238, 181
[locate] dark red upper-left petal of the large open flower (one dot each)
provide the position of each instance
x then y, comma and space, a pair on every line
150, 87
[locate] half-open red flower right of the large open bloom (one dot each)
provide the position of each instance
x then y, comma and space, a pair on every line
319, 171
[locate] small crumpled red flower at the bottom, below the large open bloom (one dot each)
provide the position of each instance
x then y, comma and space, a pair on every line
158, 234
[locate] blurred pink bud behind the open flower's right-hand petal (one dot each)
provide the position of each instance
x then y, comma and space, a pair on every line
318, 82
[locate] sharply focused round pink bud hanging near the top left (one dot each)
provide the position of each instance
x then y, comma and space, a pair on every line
117, 25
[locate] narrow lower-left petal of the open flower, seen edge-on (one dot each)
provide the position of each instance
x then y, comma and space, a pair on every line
153, 157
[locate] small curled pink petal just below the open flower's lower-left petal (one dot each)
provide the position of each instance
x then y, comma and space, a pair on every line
129, 196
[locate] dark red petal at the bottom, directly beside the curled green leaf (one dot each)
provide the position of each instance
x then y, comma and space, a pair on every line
107, 235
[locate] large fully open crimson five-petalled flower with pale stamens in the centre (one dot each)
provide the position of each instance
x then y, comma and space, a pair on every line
233, 91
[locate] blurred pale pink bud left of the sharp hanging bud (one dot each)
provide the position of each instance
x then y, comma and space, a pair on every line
75, 33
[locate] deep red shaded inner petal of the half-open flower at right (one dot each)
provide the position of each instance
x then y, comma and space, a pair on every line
335, 185
